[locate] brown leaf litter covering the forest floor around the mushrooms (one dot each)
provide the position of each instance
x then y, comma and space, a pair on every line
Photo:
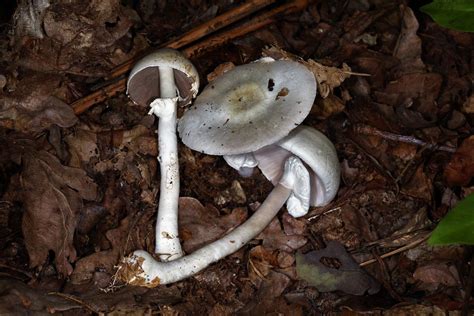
77, 193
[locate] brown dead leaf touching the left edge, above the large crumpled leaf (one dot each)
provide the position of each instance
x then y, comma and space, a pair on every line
32, 107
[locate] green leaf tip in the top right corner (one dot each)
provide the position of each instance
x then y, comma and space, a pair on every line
453, 14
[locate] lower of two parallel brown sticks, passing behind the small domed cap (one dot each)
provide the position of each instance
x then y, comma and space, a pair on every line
85, 103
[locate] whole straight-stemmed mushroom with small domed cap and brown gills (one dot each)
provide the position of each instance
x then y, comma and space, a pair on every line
162, 80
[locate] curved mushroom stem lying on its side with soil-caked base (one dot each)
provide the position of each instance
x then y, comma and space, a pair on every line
142, 269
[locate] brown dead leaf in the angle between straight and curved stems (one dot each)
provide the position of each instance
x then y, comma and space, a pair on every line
199, 225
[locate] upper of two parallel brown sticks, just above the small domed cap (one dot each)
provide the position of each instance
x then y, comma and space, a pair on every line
200, 31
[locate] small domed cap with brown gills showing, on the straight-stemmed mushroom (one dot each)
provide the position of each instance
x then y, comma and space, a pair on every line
143, 85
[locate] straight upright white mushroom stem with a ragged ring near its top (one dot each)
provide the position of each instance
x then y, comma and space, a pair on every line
167, 243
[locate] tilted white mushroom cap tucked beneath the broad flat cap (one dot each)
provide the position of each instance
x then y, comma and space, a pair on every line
315, 150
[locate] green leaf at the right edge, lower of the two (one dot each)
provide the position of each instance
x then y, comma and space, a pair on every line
457, 227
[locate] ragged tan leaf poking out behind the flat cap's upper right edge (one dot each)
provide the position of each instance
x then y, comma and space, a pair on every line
327, 77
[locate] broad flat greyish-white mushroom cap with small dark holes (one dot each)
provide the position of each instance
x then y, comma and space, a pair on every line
249, 107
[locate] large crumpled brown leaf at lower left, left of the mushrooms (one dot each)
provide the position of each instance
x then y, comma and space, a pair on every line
52, 196
